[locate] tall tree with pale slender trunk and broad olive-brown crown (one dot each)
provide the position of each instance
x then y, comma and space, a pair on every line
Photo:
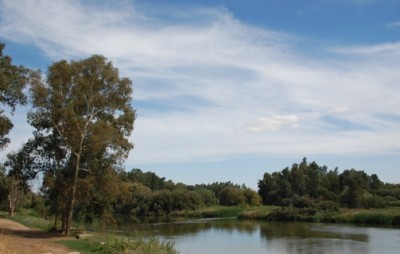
88, 107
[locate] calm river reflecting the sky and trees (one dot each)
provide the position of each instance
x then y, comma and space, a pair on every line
253, 237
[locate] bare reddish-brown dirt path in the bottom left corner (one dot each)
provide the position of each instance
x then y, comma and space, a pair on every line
18, 239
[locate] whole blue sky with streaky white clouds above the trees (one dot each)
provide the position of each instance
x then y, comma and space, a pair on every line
229, 90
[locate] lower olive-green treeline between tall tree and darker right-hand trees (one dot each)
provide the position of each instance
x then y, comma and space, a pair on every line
149, 194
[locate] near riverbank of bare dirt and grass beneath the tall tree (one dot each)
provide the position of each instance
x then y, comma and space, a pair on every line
32, 238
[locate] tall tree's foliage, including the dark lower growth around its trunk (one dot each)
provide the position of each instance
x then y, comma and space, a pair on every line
87, 107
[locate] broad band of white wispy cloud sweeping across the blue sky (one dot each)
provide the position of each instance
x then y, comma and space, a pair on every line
202, 80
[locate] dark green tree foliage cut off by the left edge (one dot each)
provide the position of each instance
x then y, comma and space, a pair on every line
13, 79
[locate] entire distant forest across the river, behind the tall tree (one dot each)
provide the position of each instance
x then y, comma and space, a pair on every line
305, 186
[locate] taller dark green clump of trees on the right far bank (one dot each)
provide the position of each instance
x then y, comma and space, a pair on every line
308, 185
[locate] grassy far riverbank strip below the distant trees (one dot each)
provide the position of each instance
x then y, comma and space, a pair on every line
377, 216
